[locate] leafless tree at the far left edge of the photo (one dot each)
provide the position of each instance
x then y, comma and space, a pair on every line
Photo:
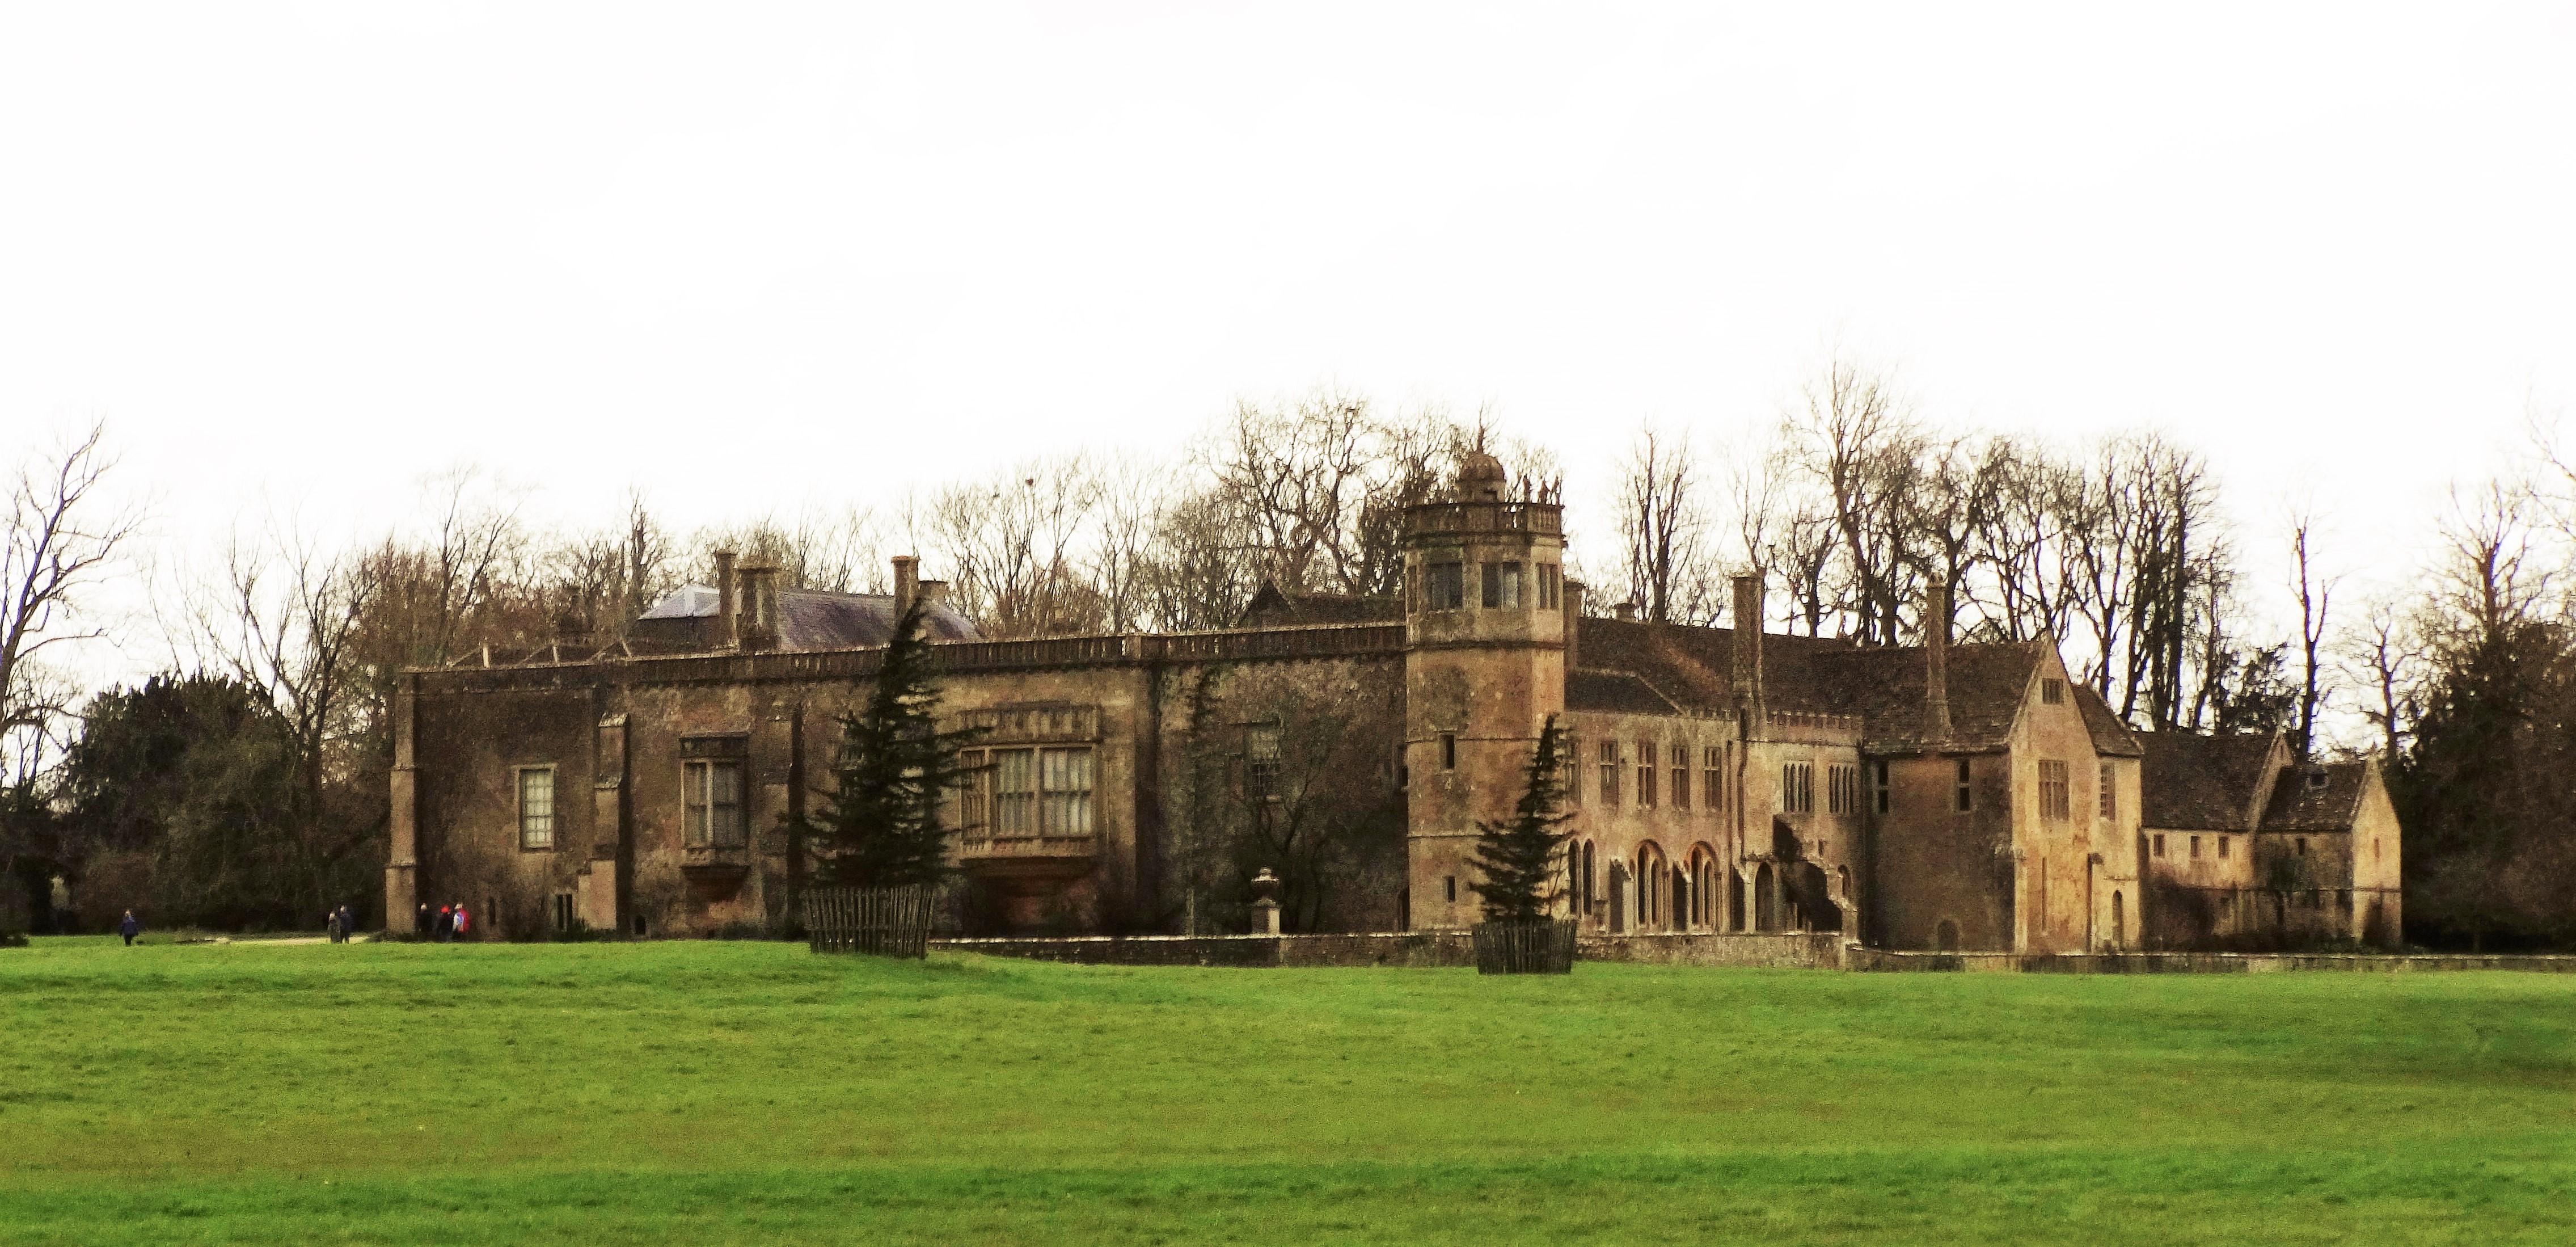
63, 537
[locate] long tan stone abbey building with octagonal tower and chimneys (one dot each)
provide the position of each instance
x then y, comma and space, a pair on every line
1727, 779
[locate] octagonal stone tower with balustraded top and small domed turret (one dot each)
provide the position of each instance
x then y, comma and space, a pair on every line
1485, 666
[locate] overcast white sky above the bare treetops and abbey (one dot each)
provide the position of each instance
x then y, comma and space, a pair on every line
759, 254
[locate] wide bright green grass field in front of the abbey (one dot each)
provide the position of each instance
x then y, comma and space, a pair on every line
761, 1094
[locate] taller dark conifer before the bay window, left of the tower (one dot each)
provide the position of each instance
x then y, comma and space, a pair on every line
882, 823
